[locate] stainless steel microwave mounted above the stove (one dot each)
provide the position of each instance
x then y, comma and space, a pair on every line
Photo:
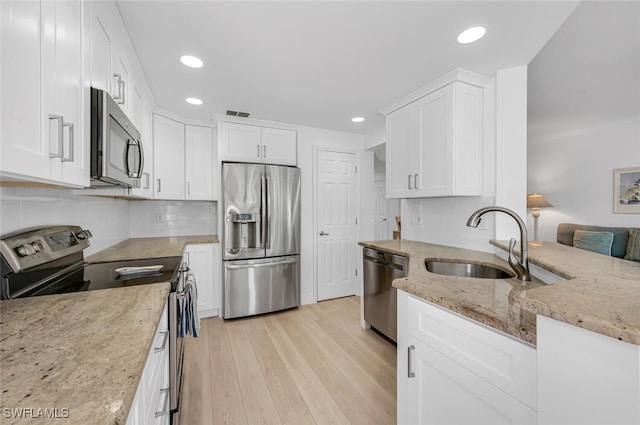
117, 157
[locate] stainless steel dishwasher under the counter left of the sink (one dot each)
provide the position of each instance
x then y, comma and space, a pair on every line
380, 309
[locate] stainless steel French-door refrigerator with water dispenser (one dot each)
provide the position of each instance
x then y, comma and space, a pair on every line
261, 245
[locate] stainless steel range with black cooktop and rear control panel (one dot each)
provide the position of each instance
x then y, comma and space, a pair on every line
50, 260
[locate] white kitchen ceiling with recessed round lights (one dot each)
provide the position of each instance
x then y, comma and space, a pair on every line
320, 63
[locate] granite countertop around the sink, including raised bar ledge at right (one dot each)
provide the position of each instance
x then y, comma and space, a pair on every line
601, 293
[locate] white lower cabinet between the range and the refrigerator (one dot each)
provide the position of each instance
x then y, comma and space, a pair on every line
204, 262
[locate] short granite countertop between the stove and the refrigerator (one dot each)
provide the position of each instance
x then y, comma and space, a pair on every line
139, 248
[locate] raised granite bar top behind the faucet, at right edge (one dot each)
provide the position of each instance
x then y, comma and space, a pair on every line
601, 293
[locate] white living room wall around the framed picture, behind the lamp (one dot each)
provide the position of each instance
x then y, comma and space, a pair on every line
574, 171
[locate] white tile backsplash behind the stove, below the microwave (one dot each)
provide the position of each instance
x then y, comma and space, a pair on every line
110, 220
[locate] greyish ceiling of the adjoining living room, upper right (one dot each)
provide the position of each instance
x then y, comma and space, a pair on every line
588, 74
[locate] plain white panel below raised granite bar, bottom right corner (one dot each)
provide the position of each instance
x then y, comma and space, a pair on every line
585, 378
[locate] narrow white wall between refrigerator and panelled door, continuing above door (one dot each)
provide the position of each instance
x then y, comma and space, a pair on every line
308, 139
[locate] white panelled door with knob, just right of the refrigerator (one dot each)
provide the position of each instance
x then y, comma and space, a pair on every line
336, 224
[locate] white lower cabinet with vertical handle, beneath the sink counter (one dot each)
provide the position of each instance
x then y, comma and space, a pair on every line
453, 370
